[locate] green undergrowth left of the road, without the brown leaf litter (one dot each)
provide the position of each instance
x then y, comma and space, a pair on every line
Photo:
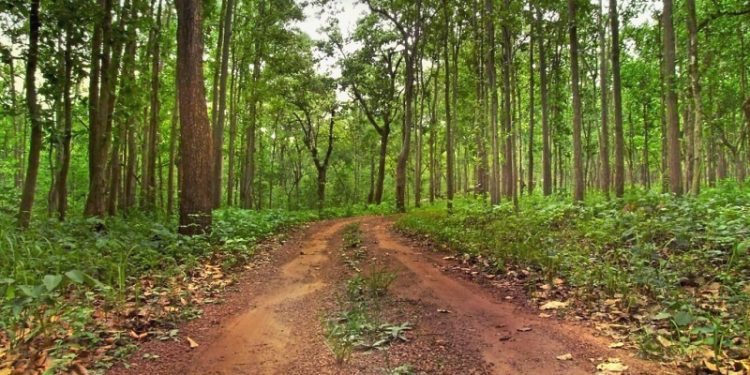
51, 273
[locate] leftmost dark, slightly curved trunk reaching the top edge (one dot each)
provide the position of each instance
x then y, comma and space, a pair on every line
35, 146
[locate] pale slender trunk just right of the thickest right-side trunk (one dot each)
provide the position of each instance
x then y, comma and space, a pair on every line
696, 91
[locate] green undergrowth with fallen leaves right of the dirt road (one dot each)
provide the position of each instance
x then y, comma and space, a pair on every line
668, 275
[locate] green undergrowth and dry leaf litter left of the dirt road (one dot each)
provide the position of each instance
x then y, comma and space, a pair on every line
88, 289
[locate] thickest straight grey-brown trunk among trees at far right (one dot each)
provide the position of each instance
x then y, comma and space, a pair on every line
673, 121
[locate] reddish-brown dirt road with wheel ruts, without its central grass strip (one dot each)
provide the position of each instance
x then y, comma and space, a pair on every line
272, 319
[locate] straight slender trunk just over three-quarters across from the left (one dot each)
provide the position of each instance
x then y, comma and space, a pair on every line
578, 189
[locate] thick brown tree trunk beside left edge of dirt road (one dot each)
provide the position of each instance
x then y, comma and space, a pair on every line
195, 130
